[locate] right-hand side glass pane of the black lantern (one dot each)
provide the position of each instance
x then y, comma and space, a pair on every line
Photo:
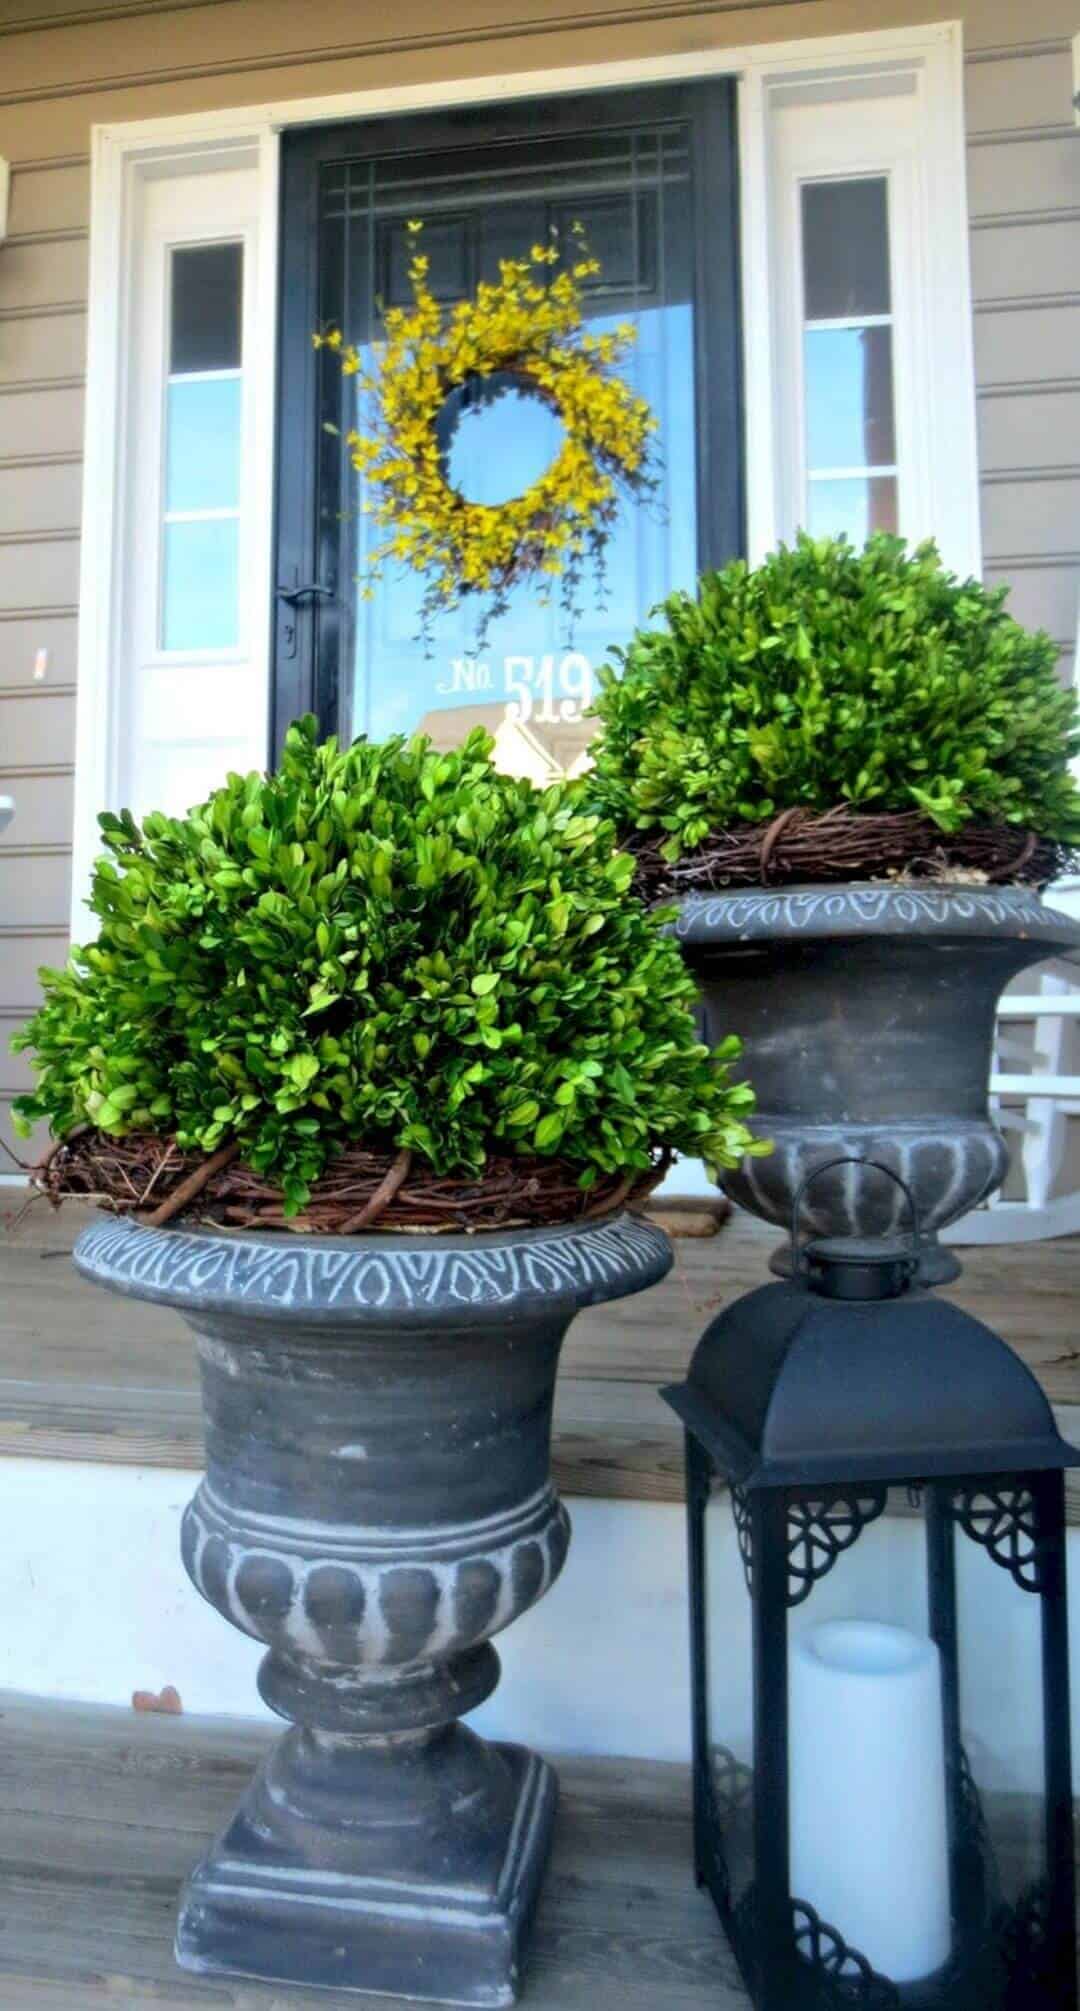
1003, 1710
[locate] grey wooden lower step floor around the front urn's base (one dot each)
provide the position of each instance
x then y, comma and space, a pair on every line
104, 1813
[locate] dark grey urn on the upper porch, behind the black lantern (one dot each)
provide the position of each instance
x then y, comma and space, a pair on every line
866, 1017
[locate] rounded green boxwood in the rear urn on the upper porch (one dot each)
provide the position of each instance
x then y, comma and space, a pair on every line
836, 677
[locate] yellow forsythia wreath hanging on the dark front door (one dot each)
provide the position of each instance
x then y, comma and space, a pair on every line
530, 327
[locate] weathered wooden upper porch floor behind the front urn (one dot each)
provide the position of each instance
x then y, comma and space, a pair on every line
89, 1377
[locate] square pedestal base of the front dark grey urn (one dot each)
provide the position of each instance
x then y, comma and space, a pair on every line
407, 1867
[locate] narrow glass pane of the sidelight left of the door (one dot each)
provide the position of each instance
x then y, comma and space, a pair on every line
202, 451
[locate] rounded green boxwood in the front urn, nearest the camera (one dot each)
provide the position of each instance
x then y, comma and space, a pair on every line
381, 946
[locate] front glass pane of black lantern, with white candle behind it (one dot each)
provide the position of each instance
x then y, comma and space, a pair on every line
866, 1741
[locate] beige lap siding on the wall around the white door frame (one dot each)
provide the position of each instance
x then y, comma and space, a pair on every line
69, 63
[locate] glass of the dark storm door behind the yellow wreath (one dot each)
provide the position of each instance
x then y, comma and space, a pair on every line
534, 675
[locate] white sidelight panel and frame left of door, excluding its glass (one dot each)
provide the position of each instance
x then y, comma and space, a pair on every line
146, 198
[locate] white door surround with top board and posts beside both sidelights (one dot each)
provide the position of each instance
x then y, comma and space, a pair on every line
122, 154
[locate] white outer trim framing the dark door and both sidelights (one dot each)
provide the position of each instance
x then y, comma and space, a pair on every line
924, 63
